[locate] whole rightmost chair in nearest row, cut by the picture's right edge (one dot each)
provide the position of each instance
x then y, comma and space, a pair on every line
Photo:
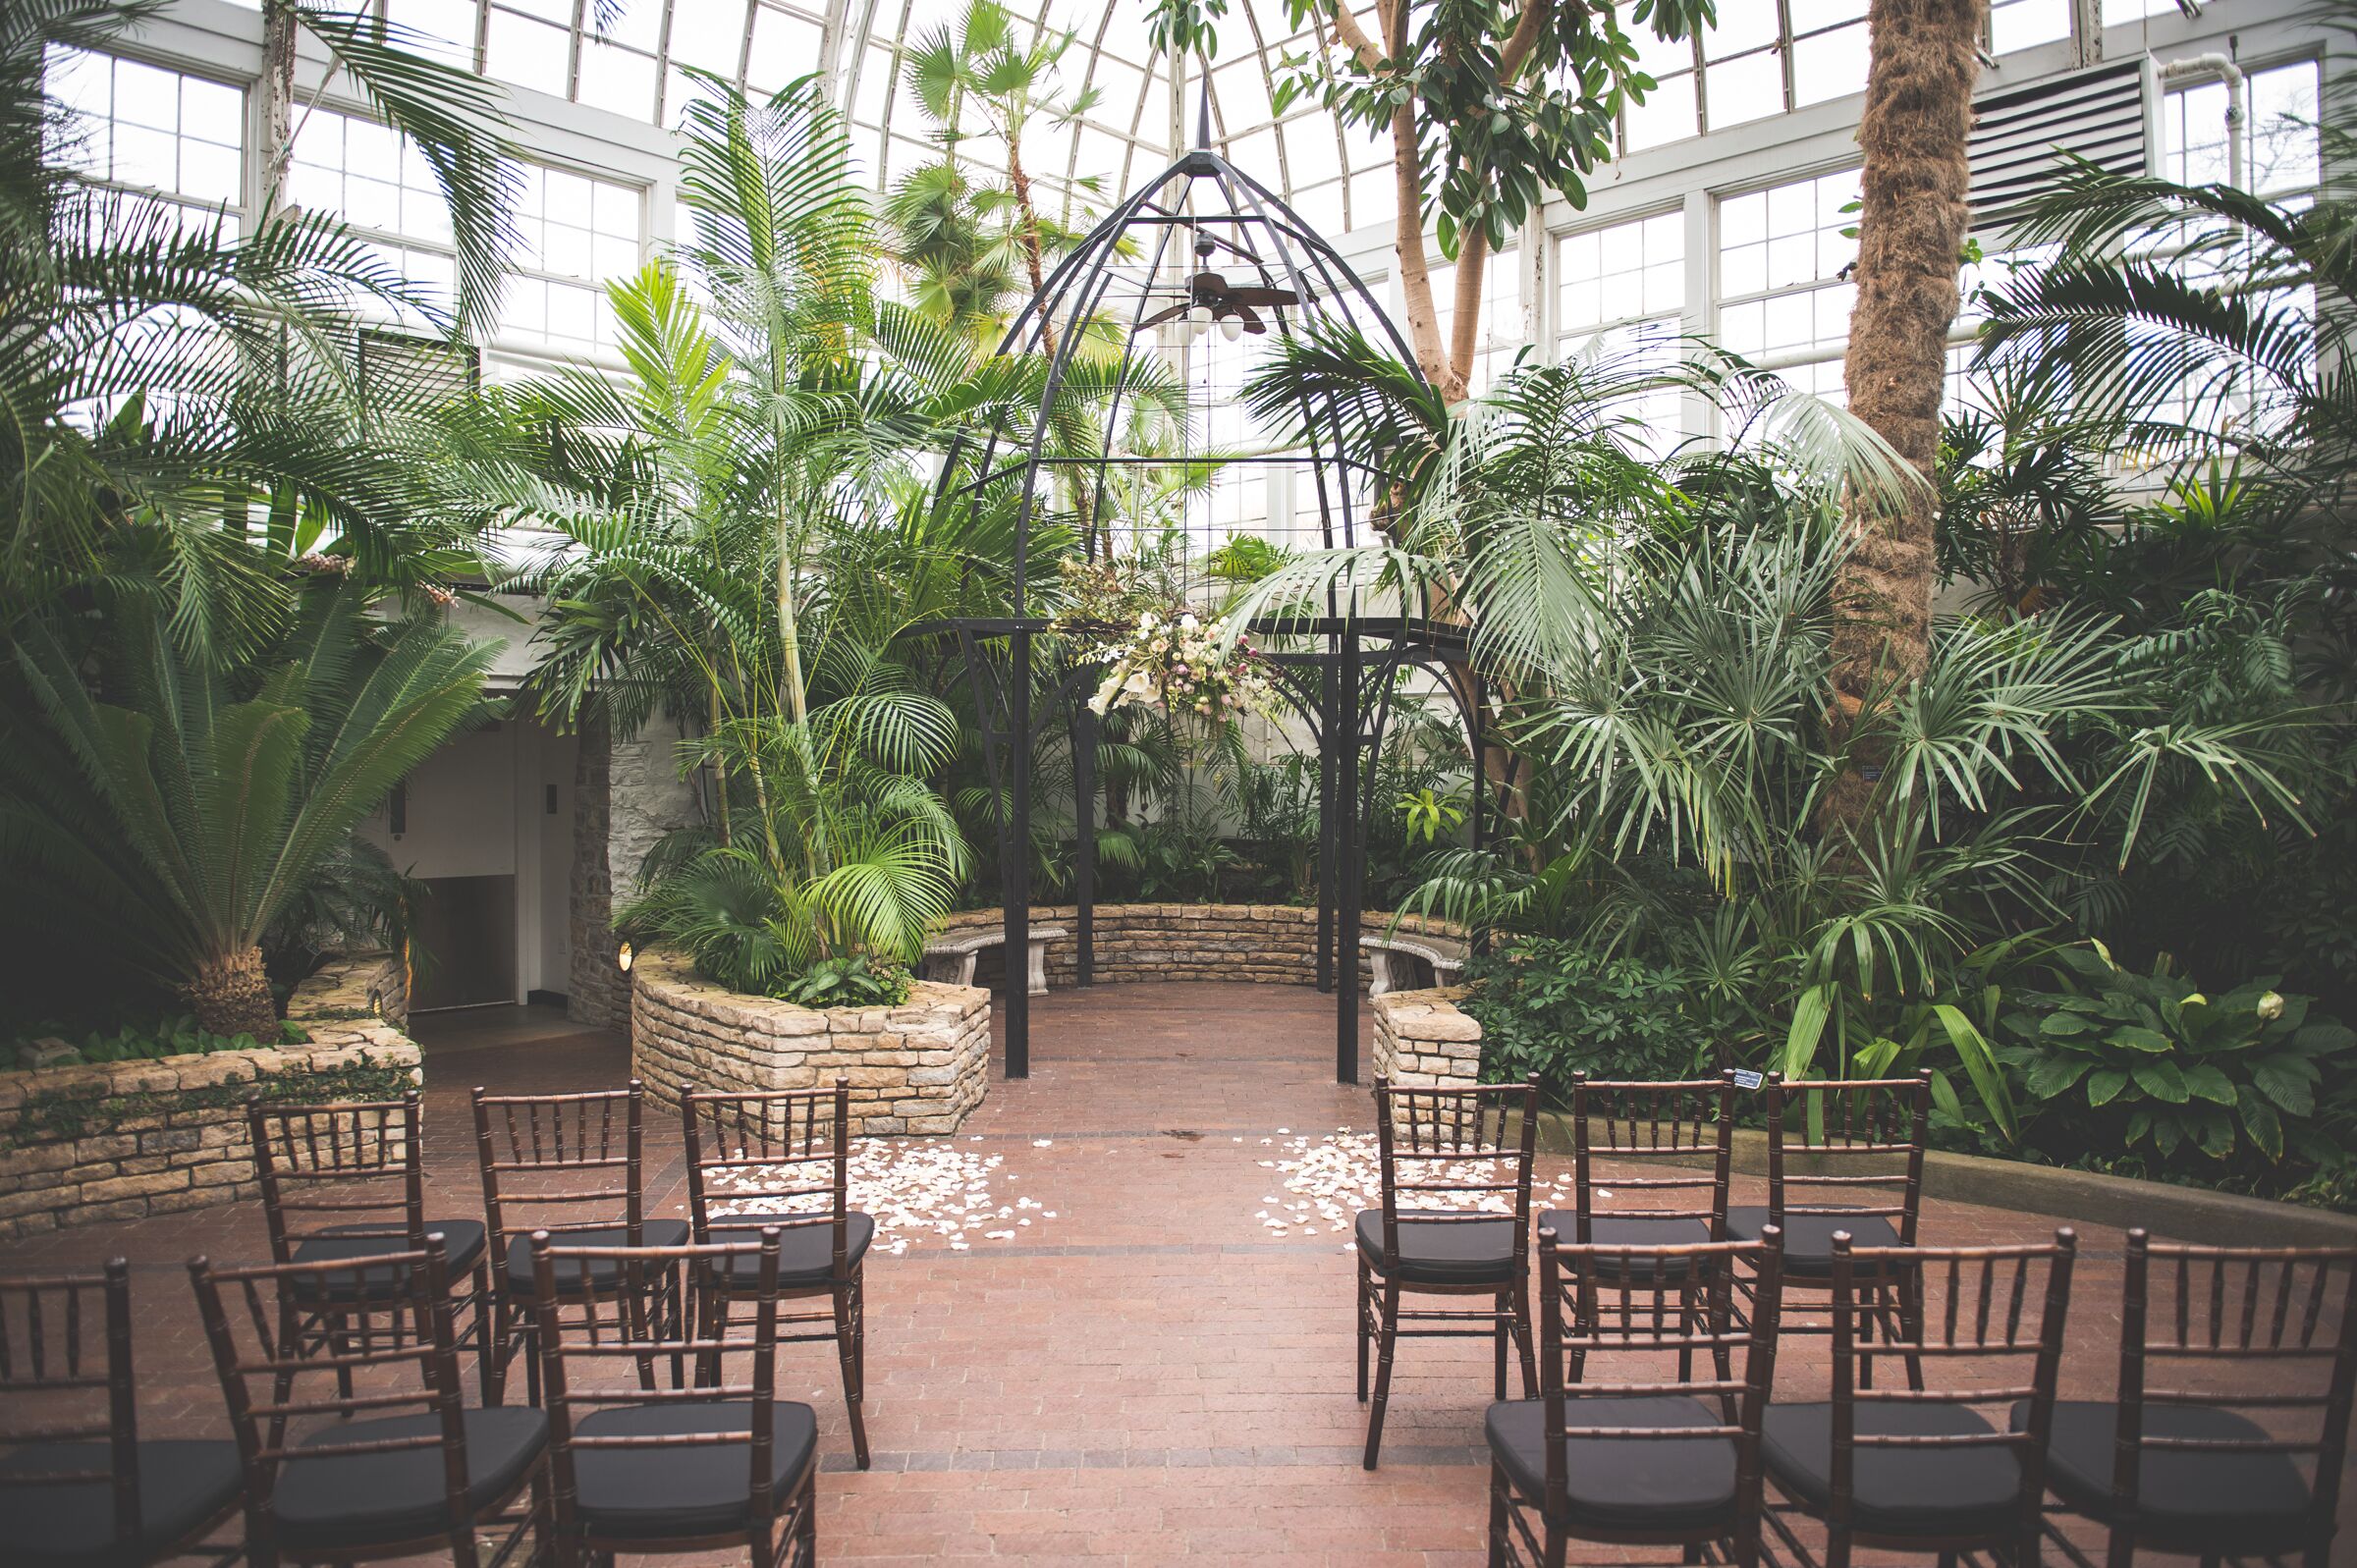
2214, 1470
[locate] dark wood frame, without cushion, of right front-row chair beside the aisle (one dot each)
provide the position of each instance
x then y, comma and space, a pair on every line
1446, 1128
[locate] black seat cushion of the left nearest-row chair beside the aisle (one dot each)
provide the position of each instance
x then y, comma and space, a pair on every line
685, 1491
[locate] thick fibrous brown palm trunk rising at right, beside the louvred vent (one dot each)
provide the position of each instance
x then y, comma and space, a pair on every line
1910, 237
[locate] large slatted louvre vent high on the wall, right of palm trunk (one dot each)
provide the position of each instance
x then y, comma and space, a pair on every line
2019, 133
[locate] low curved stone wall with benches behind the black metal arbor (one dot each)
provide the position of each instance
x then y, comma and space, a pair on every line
1189, 942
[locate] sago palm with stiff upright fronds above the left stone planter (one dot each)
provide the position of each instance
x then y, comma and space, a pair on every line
173, 812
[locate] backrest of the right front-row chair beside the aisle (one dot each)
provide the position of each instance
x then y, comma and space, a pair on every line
1458, 1157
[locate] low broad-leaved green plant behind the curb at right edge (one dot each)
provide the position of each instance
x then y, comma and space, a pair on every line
2151, 1067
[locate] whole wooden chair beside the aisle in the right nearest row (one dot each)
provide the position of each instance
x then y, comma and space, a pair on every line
1635, 1458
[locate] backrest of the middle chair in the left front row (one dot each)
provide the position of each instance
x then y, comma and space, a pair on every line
562, 1161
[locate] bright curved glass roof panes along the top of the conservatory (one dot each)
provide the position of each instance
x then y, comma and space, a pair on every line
1764, 58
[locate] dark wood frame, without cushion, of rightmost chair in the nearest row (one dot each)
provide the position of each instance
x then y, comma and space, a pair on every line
2271, 1331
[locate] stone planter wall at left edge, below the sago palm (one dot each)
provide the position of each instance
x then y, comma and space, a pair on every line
154, 1138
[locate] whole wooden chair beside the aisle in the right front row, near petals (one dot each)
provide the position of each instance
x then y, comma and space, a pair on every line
1448, 1147
